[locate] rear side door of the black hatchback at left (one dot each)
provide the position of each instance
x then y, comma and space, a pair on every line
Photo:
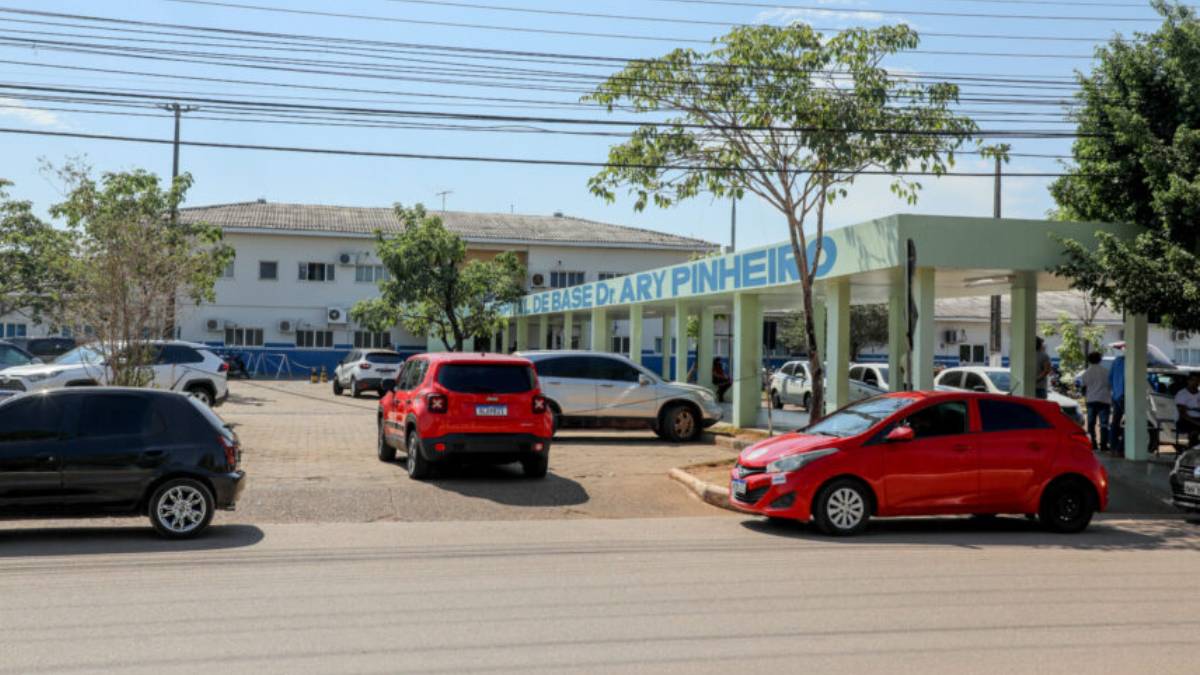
119, 445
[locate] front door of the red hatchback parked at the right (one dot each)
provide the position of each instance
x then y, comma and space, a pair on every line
938, 471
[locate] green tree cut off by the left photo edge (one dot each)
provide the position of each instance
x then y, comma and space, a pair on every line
34, 259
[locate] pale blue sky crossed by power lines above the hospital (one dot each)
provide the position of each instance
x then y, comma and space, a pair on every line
1048, 49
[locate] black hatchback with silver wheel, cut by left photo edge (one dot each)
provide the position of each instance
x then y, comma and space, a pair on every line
109, 451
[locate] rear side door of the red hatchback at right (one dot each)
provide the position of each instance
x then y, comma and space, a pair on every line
1015, 446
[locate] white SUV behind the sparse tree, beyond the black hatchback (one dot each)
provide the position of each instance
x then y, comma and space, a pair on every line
181, 367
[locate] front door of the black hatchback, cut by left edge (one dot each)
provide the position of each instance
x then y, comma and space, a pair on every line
32, 443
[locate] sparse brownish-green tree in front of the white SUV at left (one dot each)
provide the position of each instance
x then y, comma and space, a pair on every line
130, 266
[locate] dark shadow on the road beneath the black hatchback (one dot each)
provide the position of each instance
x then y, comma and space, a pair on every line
49, 542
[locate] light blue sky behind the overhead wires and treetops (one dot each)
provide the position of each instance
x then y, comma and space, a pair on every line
232, 176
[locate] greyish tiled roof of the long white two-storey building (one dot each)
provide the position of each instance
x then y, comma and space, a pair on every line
471, 226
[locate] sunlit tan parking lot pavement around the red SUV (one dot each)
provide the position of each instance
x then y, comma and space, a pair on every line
310, 457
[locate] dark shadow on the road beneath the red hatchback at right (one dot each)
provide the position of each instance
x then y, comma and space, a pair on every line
976, 534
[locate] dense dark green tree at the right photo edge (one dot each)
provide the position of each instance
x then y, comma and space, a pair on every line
1138, 160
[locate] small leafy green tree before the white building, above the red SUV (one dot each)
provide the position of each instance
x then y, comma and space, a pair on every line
434, 290
